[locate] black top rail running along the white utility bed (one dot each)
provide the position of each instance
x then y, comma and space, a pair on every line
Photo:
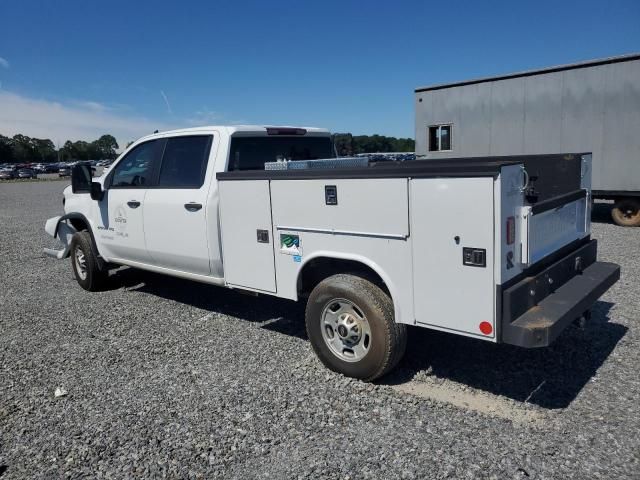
452, 167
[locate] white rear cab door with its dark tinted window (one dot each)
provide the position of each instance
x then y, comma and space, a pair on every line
175, 214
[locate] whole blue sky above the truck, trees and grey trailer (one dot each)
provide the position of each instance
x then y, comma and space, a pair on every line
75, 69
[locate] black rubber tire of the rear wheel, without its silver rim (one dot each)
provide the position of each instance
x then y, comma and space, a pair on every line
388, 339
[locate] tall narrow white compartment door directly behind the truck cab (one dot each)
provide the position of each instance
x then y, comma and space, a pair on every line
245, 228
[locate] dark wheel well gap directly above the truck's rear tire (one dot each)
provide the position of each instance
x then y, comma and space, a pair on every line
320, 268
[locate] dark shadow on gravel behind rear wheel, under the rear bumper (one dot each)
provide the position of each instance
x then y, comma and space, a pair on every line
549, 377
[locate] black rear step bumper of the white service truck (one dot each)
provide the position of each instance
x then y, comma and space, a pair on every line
539, 307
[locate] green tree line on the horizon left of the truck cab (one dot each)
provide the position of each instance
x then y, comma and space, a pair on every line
24, 149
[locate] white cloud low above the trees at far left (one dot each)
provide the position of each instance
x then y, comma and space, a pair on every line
71, 121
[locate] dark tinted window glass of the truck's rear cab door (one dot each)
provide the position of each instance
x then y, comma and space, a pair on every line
184, 161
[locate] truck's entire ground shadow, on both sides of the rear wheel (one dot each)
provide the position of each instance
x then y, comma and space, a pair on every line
549, 377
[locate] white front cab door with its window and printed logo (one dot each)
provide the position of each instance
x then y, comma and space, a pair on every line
120, 225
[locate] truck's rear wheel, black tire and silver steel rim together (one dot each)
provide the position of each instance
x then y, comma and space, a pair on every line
352, 329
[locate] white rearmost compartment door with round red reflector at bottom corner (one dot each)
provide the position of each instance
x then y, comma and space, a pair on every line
452, 226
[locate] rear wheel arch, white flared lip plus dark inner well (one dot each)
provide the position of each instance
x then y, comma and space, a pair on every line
322, 265
